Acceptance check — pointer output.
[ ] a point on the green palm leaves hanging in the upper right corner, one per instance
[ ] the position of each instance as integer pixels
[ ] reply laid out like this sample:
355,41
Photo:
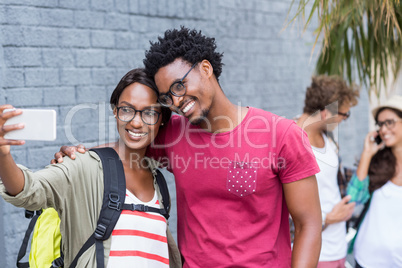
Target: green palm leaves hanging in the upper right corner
361,39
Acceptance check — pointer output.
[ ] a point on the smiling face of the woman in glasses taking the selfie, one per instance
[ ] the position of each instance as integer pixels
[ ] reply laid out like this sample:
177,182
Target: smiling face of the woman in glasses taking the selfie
136,134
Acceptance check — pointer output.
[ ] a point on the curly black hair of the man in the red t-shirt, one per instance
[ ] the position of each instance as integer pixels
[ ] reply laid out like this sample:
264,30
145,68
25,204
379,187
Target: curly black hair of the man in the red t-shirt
183,43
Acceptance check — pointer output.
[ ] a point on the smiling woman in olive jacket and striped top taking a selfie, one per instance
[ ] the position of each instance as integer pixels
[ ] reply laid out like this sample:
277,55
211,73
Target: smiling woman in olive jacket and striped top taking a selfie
75,188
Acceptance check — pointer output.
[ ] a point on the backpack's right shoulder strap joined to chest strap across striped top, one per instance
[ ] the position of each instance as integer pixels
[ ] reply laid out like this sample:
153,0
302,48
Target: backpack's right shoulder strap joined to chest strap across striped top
160,180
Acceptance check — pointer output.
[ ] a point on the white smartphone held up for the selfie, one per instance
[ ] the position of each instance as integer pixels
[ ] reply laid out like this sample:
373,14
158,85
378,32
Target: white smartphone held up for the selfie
39,124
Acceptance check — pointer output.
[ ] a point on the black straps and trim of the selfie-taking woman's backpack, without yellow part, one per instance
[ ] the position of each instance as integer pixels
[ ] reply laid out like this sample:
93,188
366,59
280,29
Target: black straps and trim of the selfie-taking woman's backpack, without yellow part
113,203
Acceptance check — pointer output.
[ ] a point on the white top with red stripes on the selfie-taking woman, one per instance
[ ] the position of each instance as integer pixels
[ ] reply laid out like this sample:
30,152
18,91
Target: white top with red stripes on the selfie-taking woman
139,238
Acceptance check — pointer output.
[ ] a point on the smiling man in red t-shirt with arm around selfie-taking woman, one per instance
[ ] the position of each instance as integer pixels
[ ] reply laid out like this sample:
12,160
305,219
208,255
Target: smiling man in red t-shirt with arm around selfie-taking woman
246,168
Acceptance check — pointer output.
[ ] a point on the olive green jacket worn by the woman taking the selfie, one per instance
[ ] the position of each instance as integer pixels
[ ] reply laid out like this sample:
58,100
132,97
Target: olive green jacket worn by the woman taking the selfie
75,189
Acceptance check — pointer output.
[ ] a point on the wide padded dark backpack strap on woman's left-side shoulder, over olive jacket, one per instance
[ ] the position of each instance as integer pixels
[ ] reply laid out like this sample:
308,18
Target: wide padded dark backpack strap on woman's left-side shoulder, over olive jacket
113,200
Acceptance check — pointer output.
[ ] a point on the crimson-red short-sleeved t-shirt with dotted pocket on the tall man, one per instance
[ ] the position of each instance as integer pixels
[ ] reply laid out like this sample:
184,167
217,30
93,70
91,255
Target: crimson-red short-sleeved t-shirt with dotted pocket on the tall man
230,203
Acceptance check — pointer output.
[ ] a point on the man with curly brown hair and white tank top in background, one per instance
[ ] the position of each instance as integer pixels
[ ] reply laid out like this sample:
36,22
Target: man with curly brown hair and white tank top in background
327,103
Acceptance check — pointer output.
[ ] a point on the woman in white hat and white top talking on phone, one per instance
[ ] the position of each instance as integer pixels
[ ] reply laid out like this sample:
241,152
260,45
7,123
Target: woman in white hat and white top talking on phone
378,184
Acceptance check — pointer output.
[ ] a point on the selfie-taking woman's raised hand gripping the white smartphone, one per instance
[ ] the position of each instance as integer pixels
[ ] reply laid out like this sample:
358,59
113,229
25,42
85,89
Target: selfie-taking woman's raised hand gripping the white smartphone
4,116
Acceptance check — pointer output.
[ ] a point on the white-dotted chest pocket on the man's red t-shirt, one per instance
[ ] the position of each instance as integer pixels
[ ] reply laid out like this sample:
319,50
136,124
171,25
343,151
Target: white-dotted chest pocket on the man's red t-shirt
242,178
